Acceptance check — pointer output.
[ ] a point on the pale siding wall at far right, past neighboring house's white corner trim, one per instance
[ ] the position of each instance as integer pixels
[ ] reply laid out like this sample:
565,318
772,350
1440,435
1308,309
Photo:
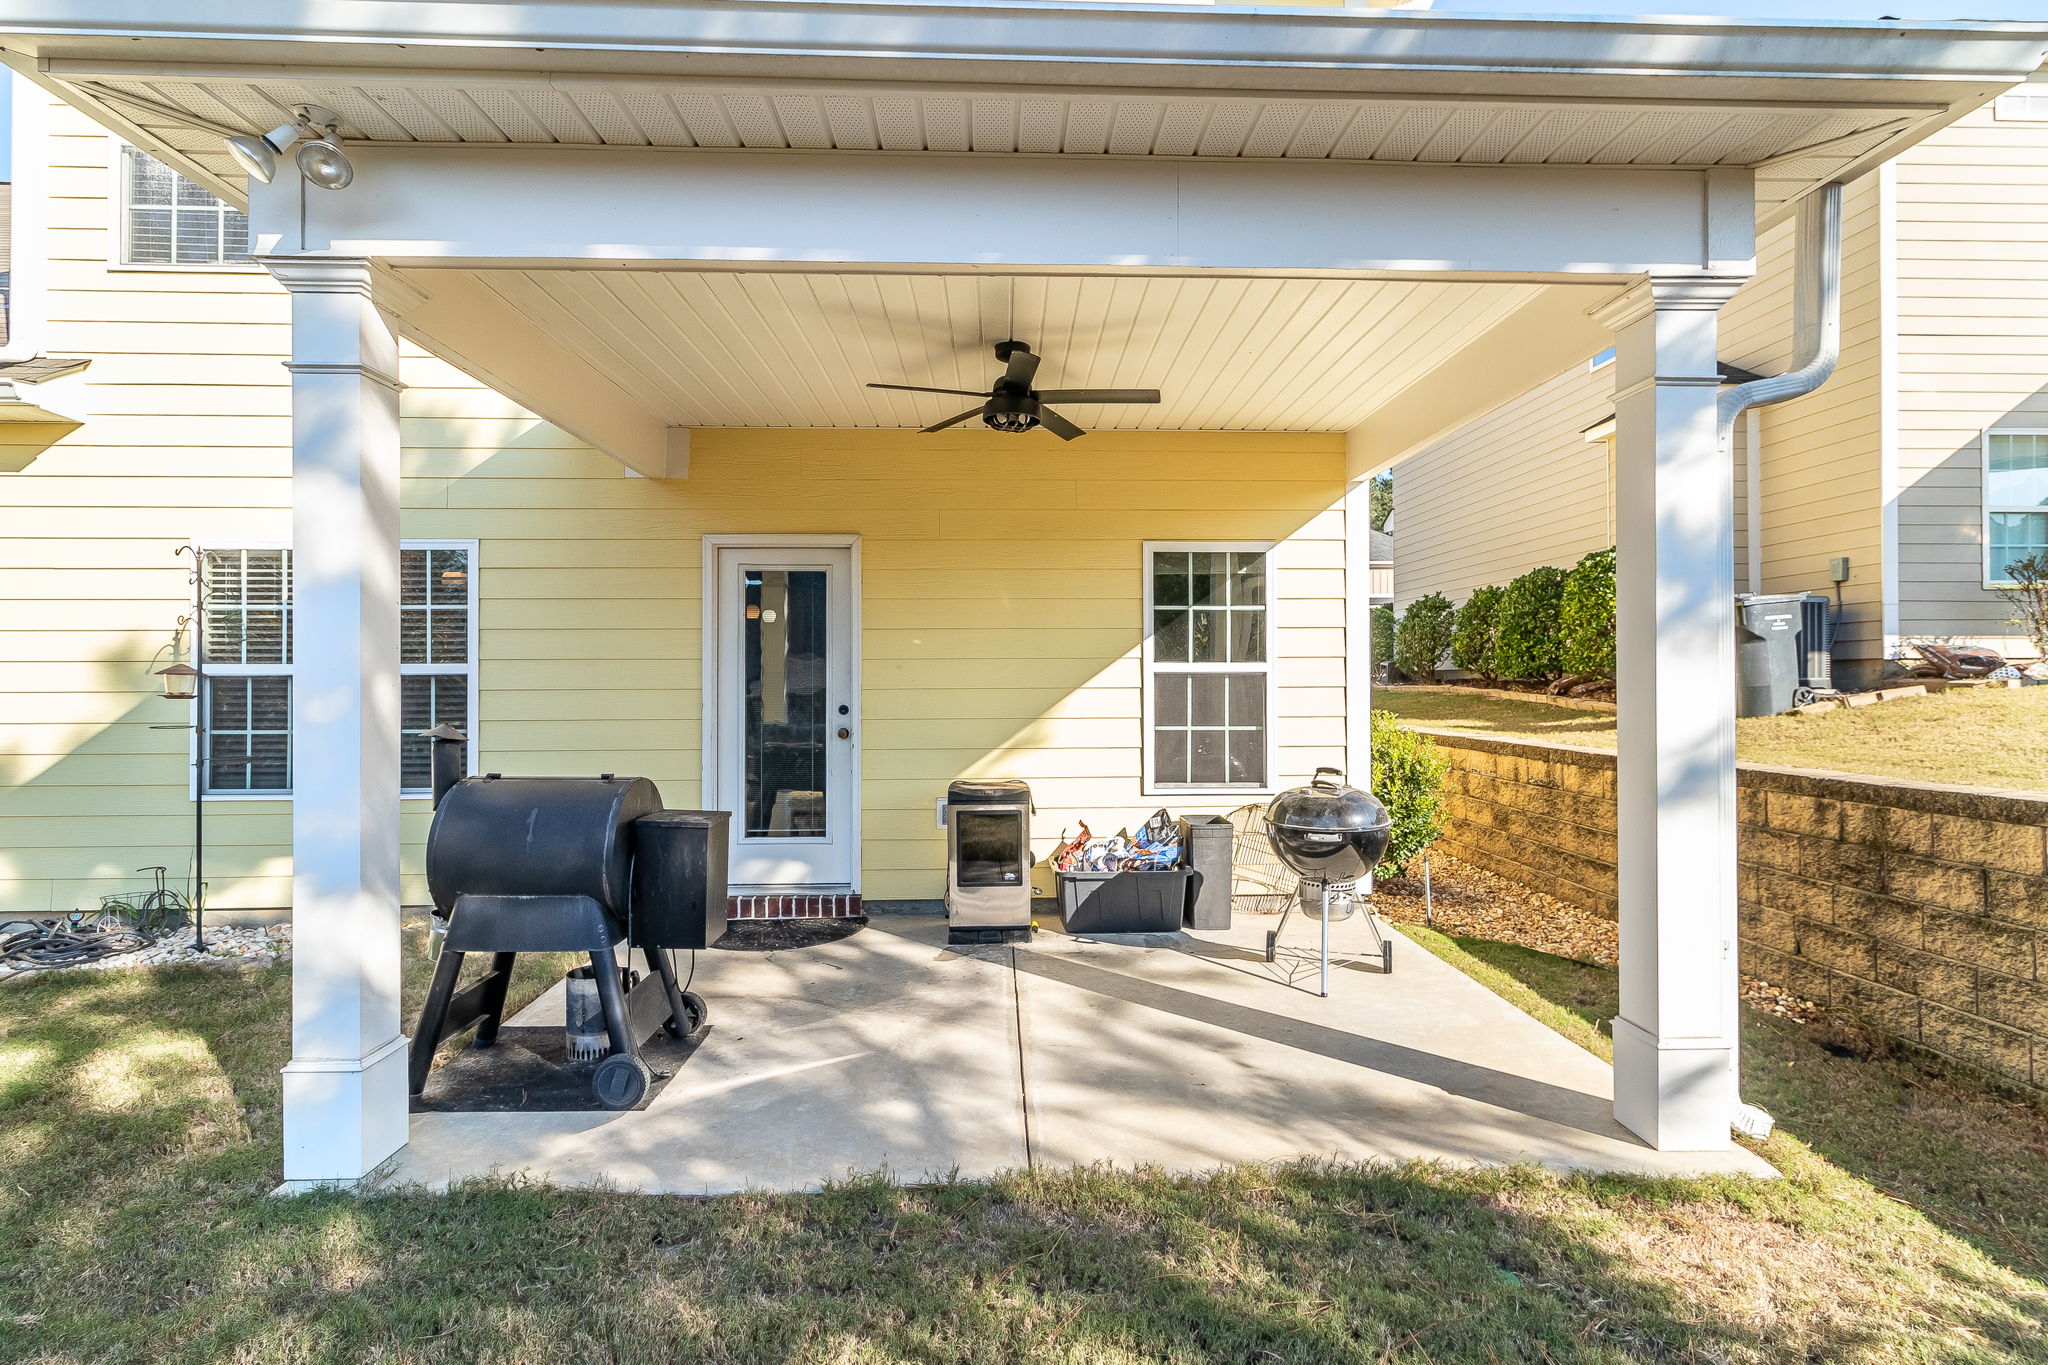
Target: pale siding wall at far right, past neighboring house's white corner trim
1973,353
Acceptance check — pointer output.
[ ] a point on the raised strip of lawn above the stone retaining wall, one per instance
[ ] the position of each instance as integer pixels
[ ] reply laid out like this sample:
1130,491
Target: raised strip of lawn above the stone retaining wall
1969,736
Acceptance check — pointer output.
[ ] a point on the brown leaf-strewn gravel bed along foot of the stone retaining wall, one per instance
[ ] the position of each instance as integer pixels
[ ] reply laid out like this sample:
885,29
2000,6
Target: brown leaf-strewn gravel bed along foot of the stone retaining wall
1484,906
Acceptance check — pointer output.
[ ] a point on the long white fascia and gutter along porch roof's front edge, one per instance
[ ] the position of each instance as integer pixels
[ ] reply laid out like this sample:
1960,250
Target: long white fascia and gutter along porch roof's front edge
1183,46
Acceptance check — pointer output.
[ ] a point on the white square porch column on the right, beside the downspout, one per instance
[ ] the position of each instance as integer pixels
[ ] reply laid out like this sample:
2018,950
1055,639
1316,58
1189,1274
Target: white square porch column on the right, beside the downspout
1676,762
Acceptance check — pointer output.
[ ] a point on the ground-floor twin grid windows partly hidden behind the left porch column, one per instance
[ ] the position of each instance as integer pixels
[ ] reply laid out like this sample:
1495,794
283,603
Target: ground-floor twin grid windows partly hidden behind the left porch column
249,664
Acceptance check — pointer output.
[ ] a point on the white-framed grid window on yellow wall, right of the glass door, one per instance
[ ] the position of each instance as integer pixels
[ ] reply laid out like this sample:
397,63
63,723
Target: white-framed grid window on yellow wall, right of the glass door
1209,680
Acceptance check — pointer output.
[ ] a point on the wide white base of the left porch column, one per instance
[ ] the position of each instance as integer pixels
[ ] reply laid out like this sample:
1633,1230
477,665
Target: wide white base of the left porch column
345,1118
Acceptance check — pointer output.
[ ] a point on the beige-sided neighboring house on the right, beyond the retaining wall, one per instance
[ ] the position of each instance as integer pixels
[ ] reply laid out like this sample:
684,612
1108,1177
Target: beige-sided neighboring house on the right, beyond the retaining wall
1924,461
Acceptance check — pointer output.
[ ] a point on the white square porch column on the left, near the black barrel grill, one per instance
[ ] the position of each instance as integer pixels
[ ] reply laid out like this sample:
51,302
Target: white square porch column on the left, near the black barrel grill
345,1086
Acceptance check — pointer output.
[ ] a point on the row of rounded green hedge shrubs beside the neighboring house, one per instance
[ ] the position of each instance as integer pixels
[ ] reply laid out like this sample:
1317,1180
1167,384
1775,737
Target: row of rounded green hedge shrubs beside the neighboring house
1547,625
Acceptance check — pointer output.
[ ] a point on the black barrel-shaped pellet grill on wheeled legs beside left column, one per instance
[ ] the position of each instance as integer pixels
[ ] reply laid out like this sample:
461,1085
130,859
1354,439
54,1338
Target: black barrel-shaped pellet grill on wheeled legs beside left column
568,865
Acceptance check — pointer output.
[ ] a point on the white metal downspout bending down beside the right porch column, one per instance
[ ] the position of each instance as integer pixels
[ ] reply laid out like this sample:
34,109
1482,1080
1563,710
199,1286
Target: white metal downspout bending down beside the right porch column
1816,349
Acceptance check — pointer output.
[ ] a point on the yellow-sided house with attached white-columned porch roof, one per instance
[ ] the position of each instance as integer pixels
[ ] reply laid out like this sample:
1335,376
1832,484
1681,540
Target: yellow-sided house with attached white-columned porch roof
558,427
